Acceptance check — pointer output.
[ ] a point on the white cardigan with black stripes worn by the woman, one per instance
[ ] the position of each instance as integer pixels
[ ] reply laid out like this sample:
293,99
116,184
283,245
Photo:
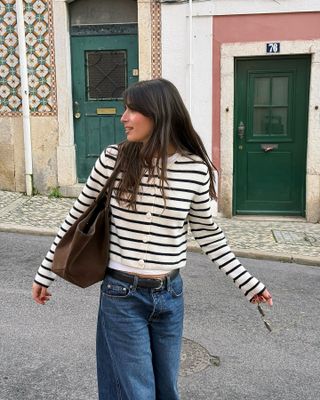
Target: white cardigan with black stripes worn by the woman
153,238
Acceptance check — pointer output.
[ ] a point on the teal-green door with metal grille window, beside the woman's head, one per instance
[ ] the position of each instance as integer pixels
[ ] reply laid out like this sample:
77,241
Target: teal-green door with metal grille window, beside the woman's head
102,68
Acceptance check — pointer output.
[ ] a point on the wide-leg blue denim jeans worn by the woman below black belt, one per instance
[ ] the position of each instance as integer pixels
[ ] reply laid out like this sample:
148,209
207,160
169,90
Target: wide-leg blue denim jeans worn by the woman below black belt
139,335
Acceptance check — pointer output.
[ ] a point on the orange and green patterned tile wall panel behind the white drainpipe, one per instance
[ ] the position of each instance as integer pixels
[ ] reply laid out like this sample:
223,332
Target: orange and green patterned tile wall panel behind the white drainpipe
40,58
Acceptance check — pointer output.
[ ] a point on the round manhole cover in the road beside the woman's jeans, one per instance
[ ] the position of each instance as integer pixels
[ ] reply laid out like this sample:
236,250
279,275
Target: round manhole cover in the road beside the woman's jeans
195,358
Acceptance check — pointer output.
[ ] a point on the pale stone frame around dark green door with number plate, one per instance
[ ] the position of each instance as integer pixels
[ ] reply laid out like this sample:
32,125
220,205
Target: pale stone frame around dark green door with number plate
229,52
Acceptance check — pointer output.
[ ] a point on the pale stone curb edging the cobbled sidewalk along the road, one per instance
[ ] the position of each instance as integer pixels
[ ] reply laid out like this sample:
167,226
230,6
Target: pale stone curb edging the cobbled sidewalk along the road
192,246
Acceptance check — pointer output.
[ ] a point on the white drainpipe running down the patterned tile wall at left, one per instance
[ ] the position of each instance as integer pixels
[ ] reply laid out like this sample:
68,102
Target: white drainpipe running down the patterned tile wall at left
25,97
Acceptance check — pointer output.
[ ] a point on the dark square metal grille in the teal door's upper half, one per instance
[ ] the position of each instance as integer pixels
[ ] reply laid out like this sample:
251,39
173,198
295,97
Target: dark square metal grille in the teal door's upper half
106,74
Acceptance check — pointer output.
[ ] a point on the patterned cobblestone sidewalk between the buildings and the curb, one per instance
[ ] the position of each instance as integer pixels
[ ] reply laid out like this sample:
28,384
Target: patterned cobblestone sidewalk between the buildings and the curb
289,240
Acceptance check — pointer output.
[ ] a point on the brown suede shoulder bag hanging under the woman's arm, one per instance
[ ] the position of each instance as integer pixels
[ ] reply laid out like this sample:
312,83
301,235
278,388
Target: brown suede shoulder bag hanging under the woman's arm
82,255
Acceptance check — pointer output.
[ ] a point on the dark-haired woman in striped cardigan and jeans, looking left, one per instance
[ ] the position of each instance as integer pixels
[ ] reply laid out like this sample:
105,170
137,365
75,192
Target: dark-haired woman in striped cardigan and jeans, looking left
166,182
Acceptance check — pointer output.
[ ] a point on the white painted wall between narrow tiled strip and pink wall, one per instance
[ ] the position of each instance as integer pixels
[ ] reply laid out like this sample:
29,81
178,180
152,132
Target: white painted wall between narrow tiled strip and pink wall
175,64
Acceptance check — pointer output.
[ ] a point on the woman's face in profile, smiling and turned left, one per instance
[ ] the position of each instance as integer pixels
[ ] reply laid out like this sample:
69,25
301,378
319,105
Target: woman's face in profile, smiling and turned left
137,126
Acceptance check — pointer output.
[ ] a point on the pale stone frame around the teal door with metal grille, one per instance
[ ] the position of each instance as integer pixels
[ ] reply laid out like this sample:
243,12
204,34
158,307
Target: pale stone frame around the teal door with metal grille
66,159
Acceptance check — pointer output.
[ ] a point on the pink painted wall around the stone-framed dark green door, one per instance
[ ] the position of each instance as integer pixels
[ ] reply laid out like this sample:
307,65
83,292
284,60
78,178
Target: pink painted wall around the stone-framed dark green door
252,28
